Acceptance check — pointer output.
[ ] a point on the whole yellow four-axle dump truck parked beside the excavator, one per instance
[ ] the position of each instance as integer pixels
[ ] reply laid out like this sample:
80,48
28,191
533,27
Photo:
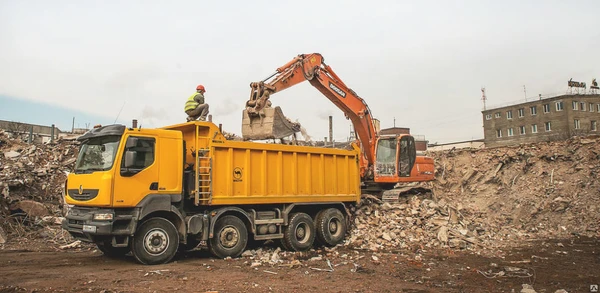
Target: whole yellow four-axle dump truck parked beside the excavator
152,192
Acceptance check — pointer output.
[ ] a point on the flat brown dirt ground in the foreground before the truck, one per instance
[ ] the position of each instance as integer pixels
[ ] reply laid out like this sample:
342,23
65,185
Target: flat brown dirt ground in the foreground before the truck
572,265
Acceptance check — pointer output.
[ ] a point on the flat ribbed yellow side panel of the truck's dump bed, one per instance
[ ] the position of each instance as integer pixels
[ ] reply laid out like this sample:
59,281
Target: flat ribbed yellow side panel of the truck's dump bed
254,173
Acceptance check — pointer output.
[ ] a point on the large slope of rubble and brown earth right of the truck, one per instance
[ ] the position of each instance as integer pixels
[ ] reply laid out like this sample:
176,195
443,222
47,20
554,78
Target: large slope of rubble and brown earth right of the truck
492,198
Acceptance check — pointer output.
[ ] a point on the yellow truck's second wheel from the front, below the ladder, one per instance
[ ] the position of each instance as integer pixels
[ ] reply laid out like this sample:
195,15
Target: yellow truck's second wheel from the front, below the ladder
230,237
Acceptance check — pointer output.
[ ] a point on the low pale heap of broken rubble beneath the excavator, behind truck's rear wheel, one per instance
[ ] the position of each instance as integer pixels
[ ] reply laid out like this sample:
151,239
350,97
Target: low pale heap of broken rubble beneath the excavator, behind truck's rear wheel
416,222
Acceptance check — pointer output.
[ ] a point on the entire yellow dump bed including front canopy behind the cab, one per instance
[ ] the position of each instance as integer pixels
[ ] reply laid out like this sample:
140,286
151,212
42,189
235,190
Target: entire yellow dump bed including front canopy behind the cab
230,172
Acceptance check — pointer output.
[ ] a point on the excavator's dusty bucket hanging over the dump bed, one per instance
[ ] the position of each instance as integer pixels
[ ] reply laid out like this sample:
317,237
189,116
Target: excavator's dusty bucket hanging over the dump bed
270,123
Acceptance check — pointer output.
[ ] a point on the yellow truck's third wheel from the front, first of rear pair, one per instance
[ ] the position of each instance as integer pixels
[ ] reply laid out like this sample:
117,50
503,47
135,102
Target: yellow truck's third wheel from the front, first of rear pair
299,234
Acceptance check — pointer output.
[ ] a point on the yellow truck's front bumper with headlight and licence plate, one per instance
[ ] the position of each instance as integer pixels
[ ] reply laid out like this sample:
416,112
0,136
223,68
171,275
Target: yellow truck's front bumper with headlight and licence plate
80,223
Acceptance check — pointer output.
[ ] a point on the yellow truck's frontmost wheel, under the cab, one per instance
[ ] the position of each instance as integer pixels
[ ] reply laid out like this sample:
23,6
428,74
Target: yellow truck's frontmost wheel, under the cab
155,242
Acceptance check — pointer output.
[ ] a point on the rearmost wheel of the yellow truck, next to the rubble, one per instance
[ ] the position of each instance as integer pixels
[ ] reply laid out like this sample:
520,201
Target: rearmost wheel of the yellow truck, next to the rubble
331,227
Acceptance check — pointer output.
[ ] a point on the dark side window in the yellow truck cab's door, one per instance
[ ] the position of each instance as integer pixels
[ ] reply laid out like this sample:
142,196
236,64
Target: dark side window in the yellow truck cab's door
143,154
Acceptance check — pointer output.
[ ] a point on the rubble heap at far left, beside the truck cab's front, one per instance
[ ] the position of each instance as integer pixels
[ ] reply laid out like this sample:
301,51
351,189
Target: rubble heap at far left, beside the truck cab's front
32,177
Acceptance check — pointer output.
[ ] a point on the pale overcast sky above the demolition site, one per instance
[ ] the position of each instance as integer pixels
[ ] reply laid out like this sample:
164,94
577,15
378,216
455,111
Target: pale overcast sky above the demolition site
418,64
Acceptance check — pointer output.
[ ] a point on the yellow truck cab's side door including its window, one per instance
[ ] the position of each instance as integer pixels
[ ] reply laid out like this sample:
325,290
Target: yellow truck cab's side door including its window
134,182
